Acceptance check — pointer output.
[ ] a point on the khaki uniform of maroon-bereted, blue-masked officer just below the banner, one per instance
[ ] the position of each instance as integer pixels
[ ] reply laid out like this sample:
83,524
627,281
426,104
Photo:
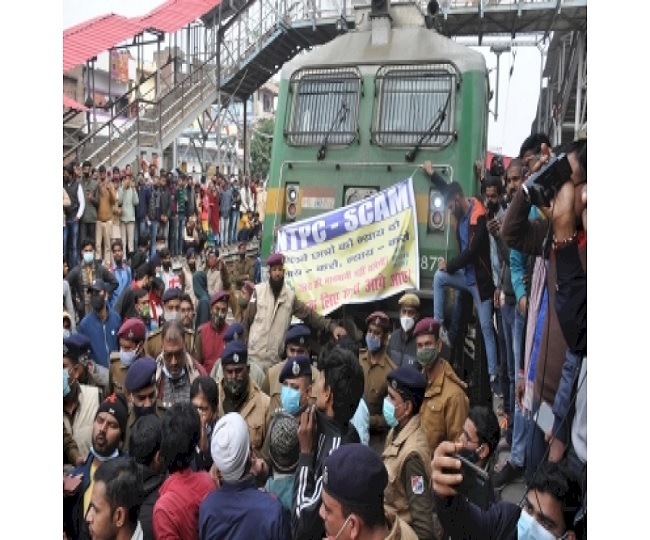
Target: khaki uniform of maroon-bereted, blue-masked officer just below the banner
375,389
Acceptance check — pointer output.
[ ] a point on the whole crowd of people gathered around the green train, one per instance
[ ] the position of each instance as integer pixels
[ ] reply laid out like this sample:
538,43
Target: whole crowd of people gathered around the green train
195,406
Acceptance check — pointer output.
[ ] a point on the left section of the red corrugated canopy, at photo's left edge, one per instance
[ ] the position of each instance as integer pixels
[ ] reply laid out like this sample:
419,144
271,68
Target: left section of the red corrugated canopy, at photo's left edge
86,40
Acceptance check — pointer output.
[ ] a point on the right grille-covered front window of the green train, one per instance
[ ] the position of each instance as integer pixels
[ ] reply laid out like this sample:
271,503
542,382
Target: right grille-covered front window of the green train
414,105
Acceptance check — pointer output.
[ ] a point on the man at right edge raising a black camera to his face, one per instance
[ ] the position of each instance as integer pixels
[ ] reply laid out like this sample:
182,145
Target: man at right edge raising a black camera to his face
536,238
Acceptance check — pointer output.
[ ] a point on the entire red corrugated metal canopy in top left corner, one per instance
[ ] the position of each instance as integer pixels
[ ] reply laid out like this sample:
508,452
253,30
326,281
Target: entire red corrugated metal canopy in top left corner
88,39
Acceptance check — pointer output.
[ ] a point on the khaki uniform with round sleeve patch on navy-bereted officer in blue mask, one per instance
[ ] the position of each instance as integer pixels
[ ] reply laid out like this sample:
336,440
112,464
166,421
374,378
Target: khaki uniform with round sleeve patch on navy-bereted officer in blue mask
408,494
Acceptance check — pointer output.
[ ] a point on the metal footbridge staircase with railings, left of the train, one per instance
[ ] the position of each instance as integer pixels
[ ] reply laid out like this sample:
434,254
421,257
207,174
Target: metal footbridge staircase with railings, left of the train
251,46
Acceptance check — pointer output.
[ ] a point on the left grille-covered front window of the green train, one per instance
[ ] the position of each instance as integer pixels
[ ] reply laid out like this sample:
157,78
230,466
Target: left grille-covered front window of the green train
324,108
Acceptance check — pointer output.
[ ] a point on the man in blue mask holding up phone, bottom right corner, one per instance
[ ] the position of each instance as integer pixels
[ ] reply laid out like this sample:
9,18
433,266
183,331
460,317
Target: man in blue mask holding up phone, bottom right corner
547,510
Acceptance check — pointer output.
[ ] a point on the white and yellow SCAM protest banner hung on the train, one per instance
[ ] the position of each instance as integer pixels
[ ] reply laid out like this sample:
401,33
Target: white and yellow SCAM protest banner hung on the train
365,251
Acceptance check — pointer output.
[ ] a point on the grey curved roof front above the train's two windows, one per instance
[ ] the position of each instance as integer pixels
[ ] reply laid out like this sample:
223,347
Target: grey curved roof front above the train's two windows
405,45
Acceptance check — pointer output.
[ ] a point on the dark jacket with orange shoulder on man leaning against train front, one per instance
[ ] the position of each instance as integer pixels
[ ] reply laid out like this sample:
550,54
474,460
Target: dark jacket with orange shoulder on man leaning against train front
477,252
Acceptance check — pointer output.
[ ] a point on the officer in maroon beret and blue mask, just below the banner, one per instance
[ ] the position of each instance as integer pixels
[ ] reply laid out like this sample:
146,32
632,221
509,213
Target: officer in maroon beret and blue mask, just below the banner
376,365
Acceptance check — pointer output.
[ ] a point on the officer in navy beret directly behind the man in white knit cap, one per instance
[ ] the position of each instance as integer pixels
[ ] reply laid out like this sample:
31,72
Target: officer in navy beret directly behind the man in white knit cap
239,393
